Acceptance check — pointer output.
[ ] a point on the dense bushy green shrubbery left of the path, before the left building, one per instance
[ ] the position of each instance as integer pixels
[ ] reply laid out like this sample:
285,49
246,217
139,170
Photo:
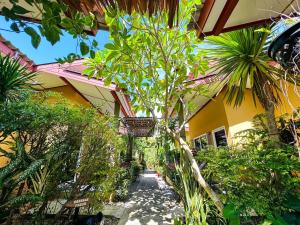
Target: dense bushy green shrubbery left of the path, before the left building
71,152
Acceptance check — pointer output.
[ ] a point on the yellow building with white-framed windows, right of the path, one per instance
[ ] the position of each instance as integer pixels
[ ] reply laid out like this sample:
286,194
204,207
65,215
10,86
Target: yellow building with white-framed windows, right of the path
216,123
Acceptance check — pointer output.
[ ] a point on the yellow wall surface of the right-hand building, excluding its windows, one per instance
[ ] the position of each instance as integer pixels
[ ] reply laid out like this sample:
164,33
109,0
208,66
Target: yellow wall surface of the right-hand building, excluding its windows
217,113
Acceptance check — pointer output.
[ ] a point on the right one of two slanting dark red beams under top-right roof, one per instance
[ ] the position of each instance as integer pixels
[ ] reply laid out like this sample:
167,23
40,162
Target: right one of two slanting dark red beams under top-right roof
224,16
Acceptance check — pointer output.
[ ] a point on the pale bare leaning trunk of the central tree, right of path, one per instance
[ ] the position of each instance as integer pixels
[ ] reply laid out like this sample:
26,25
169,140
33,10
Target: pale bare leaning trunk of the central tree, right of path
196,171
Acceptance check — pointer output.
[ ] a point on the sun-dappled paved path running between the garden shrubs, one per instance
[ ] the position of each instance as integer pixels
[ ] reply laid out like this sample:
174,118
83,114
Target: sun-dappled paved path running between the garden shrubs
152,202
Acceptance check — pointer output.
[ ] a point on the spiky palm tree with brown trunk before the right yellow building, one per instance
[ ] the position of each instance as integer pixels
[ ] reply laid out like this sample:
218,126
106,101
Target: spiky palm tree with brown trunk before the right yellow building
243,64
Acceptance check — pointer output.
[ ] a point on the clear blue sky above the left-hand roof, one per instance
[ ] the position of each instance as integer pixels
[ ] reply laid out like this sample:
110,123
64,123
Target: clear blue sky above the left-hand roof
46,52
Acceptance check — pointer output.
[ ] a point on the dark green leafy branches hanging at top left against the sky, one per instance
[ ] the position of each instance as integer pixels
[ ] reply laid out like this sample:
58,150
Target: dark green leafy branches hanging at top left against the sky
53,19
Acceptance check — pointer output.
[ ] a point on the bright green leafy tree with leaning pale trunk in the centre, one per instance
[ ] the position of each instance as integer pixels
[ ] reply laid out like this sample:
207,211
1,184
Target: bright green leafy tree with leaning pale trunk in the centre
152,62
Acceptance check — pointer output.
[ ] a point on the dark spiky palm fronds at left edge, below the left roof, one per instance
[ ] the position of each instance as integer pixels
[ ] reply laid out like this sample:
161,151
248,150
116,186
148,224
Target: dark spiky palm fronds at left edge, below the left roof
14,79
